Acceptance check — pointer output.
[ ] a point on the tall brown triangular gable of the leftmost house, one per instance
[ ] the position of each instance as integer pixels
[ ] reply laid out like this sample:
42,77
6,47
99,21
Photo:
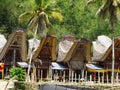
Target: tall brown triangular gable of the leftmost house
16,40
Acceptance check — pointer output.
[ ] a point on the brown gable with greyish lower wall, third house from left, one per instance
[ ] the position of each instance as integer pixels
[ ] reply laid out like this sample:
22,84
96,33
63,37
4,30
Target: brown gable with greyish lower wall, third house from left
79,54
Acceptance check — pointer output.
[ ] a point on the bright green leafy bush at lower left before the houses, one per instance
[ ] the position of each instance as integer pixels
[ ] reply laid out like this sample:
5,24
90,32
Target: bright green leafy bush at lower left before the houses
17,73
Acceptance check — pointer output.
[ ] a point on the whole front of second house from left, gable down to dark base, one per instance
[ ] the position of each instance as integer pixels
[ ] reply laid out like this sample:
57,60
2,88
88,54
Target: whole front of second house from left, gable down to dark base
45,54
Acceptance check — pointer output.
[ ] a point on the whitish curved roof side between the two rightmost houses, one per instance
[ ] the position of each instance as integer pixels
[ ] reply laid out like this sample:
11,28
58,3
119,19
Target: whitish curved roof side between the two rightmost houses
100,46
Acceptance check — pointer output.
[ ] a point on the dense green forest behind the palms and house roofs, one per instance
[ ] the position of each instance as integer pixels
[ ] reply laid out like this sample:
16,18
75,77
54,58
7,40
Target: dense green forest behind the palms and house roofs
77,19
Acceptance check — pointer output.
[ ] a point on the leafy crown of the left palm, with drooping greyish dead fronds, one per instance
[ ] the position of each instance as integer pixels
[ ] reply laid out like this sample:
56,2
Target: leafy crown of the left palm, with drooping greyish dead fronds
38,15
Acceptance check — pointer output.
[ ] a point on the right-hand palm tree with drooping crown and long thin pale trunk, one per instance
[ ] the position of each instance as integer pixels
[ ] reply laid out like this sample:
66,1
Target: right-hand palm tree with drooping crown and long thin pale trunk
109,9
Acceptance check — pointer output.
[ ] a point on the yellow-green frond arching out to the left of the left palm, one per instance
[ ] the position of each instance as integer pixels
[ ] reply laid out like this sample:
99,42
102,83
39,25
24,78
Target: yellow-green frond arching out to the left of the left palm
25,16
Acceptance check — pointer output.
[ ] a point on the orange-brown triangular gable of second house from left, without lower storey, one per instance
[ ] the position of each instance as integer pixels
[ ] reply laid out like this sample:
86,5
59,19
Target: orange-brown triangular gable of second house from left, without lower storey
46,49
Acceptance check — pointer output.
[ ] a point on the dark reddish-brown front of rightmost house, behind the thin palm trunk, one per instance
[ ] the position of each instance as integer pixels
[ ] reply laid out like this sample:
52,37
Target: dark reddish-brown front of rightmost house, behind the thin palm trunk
106,60
